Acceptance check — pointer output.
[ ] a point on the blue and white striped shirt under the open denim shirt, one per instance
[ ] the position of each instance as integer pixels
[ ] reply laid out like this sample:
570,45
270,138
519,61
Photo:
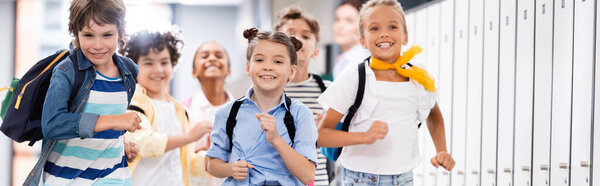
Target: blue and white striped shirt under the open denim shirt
97,160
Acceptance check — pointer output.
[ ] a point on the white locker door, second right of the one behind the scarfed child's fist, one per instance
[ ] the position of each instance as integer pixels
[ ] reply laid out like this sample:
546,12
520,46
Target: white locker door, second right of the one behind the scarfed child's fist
474,93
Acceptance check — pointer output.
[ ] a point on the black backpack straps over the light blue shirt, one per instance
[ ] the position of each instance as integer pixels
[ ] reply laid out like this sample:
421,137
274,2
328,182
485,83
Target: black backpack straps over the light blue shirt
231,121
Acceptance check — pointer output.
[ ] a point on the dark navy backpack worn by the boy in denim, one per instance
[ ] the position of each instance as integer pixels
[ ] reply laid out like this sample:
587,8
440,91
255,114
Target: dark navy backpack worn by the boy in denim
22,120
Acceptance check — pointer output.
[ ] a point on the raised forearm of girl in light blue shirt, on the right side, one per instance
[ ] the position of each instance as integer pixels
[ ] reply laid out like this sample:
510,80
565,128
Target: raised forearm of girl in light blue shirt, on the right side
301,167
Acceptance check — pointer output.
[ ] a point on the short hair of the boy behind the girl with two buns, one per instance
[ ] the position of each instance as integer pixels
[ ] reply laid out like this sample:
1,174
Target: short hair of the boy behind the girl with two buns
295,12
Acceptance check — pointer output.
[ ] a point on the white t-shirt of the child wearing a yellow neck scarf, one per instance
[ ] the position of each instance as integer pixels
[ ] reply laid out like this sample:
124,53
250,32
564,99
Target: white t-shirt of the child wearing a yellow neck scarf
402,105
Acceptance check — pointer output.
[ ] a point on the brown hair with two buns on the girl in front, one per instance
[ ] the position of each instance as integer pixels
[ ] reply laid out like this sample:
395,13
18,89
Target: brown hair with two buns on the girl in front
292,44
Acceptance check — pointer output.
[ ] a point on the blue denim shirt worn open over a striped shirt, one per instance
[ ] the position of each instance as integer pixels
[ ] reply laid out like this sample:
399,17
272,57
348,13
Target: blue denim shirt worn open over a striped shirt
60,122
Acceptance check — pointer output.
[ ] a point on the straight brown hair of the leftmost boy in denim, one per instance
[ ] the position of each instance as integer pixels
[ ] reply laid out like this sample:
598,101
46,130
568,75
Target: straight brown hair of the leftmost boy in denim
100,12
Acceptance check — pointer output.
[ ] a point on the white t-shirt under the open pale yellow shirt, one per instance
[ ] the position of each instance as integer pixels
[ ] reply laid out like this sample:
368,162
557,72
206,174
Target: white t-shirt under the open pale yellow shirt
165,169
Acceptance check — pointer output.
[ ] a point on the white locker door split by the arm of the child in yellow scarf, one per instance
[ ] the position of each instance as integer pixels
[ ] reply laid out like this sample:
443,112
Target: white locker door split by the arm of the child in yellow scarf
433,62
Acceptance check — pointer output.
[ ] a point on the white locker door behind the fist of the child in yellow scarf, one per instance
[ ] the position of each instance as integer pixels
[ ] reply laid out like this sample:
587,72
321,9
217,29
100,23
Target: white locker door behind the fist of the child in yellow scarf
445,78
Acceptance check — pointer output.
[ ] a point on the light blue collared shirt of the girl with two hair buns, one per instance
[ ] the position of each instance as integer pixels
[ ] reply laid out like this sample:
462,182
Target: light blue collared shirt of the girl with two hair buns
250,143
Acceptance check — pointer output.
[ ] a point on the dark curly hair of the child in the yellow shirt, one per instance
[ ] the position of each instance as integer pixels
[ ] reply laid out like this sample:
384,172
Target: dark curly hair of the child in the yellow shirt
140,43
